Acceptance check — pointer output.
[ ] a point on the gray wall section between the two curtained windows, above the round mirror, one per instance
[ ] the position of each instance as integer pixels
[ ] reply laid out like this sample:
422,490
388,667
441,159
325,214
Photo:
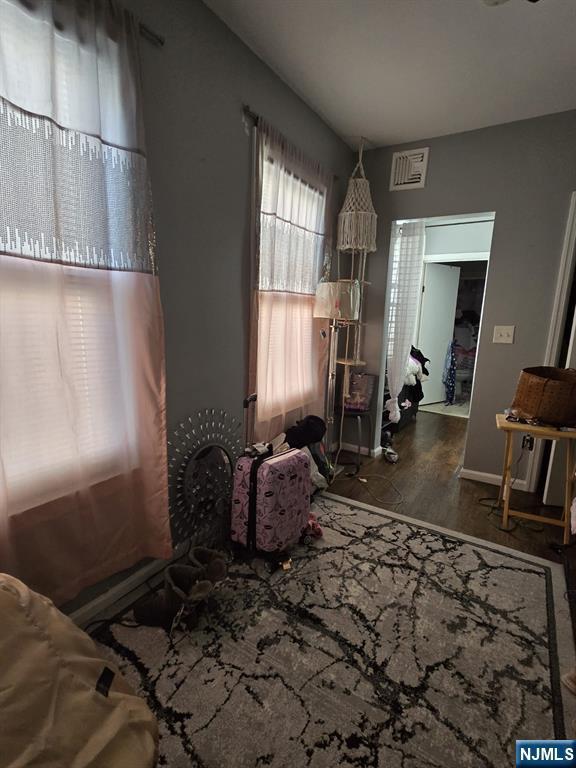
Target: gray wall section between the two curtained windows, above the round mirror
199,159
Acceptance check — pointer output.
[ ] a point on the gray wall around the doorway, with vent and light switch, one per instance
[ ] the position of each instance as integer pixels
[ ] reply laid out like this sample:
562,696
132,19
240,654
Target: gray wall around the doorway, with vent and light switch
525,172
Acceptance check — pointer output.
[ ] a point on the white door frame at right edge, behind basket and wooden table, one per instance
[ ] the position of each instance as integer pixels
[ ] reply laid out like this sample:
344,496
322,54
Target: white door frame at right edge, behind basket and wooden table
557,323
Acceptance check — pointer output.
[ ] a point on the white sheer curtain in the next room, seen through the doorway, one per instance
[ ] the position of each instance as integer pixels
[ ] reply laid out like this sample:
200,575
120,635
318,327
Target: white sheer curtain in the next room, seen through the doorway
405,280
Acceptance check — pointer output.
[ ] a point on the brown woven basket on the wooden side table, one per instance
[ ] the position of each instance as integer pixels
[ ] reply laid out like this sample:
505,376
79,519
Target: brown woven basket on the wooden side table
546,395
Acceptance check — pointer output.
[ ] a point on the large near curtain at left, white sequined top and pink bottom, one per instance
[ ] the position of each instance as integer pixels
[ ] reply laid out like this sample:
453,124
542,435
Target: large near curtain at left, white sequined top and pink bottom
83,470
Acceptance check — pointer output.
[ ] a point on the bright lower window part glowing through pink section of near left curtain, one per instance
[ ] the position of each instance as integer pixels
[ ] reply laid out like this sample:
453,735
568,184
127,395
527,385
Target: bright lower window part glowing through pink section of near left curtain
63,350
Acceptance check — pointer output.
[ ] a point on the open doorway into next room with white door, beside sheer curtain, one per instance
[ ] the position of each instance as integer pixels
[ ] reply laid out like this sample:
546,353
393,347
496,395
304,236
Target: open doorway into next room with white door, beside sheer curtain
443,360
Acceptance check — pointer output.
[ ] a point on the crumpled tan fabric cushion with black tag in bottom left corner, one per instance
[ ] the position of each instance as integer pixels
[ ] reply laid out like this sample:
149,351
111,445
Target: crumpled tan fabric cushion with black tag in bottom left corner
51,713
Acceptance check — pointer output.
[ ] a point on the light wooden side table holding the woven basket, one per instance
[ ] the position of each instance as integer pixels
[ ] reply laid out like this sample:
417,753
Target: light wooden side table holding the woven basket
539,433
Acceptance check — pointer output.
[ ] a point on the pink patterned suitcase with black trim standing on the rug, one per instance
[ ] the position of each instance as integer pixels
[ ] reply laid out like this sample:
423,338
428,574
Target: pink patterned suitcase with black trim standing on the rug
271,501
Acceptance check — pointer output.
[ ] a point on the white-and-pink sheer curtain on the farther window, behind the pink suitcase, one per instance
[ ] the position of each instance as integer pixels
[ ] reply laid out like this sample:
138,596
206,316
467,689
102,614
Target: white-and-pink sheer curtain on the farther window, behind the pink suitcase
291,352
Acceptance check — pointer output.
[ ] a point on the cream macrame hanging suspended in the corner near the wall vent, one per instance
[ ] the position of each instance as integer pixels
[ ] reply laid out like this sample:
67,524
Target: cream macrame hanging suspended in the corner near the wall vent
357,219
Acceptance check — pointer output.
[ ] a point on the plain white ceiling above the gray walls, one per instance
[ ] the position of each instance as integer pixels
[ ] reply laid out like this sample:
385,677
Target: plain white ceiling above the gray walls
400,70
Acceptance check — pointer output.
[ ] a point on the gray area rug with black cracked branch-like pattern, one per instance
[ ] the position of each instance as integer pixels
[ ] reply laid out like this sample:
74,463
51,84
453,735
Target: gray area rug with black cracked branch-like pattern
387,644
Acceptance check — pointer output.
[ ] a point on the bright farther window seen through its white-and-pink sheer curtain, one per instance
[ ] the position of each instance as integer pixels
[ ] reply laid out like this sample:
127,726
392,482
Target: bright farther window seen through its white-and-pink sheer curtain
291,257
